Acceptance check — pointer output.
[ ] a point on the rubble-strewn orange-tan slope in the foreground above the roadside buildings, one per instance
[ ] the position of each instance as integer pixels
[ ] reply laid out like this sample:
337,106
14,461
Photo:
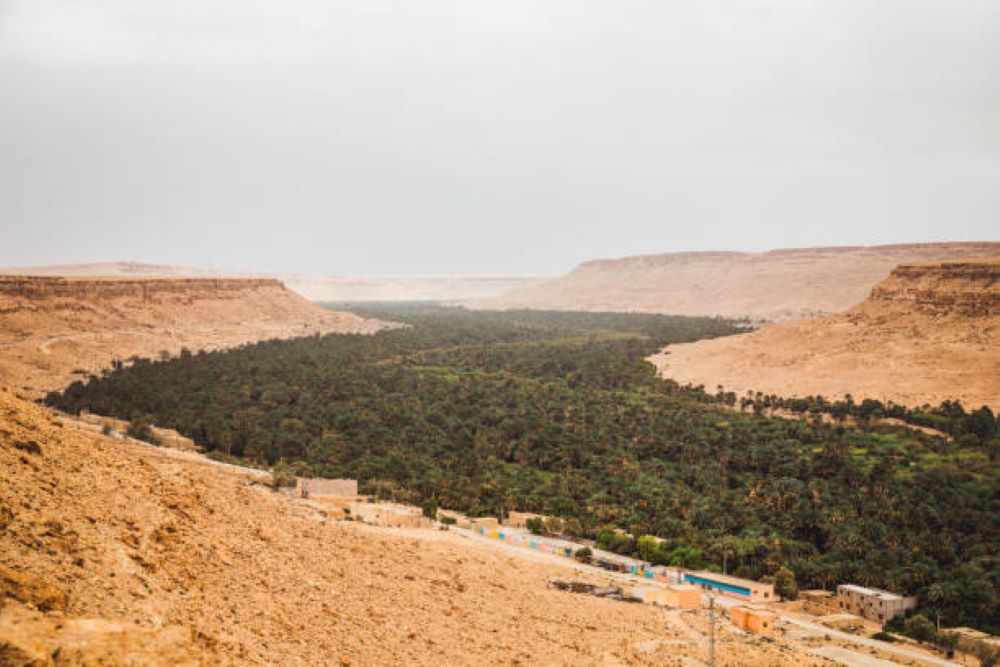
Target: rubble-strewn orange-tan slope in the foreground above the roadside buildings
111,548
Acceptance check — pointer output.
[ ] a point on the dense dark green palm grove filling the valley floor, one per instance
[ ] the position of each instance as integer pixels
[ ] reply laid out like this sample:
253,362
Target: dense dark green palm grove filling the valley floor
557,413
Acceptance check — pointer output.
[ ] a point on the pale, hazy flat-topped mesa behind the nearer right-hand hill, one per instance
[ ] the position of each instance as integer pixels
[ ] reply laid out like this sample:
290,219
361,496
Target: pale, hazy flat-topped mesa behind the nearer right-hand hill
775,285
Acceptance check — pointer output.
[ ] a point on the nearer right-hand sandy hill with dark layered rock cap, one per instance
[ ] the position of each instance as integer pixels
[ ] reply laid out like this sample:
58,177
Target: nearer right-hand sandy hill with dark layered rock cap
927,333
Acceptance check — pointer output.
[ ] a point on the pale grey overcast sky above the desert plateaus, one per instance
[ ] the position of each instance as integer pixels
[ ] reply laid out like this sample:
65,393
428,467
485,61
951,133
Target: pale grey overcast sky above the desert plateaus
374,137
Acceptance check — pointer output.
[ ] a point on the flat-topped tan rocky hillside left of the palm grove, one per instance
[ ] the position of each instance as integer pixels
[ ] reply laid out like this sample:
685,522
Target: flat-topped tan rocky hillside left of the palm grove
53,326
